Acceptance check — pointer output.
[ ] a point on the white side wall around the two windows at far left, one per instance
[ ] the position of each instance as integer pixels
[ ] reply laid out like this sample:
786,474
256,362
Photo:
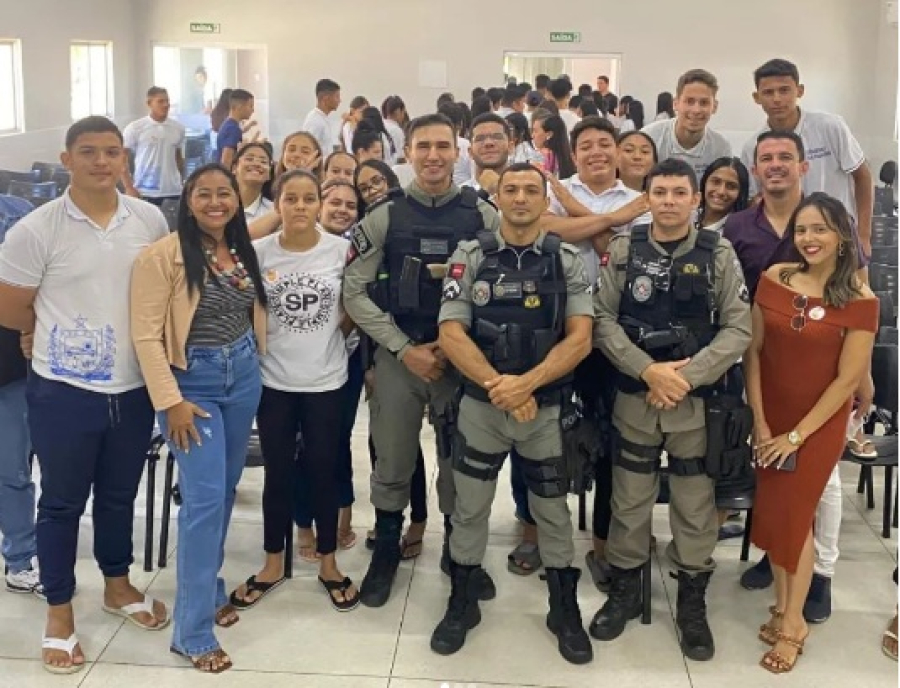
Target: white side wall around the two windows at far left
46,28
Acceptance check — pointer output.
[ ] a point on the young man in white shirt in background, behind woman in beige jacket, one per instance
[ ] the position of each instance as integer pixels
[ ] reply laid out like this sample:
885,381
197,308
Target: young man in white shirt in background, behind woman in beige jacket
156,142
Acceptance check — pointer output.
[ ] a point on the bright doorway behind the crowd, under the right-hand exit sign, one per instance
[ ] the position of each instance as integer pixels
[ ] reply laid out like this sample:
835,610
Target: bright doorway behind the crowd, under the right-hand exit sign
581,68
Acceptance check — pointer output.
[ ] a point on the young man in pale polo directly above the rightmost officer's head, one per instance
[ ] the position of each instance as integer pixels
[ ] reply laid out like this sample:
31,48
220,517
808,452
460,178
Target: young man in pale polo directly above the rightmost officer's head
688,137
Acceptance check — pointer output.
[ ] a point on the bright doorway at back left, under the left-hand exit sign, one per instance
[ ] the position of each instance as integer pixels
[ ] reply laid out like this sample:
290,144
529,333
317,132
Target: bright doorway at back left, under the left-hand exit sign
195,77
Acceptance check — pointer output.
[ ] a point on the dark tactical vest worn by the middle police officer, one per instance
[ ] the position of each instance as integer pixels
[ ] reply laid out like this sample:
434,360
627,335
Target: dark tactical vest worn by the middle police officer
518,309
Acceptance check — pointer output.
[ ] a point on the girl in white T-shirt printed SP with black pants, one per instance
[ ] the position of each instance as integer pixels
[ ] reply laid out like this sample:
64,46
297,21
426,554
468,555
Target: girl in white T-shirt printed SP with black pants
304,370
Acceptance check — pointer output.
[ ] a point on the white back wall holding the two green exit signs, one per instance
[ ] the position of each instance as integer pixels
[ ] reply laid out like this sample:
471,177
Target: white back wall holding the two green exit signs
844,49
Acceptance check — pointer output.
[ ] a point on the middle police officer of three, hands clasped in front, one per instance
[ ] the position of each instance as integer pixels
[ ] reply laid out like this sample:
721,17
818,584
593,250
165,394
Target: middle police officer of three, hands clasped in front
516,319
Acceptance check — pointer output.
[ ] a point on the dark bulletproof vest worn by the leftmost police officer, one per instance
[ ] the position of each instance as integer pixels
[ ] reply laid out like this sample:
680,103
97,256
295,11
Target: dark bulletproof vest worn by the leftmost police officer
419,236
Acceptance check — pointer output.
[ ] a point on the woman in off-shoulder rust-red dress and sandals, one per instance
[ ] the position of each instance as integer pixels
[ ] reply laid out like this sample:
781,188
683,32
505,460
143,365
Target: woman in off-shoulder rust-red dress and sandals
814,326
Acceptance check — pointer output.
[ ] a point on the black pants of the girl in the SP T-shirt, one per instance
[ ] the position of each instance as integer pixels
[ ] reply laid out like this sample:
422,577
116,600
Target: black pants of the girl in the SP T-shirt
317,416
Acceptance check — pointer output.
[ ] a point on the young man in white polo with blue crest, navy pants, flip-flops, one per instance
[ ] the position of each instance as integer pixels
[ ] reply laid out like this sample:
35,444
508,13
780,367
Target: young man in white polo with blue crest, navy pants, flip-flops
64,276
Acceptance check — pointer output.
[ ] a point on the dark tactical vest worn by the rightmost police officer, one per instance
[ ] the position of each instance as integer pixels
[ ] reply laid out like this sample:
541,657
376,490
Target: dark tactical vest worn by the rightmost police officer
668,306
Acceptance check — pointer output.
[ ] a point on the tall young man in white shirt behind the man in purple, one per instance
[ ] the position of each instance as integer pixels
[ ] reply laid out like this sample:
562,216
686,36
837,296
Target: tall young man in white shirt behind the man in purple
837,164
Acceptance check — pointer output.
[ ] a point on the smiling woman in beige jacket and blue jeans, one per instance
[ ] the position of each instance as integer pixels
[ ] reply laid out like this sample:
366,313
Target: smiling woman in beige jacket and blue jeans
198,321
